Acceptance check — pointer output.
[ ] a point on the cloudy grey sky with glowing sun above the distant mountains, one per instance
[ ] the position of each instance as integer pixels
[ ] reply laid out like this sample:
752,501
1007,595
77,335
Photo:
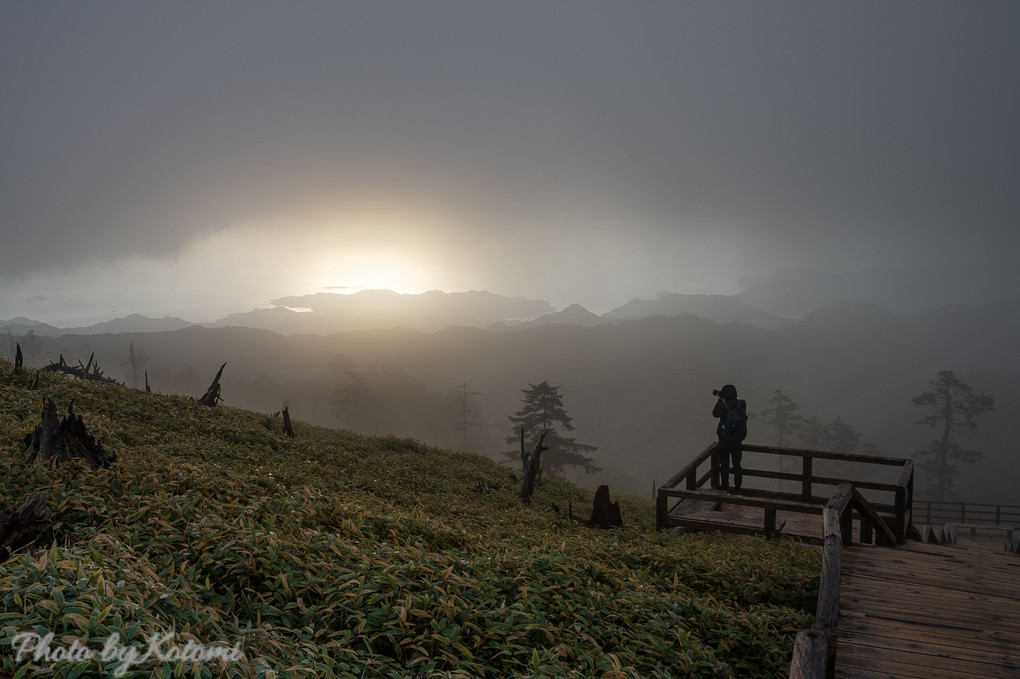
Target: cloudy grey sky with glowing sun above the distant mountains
198,159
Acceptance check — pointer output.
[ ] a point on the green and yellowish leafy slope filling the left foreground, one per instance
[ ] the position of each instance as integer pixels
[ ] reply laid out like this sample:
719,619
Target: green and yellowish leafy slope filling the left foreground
336,554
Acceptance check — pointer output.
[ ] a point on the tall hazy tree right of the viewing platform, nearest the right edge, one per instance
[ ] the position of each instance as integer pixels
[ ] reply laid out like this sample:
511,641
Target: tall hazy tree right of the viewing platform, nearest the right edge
952,405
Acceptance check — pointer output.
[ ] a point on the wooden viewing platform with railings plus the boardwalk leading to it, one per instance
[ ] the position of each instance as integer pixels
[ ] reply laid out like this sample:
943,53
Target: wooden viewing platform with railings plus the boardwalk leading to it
917,611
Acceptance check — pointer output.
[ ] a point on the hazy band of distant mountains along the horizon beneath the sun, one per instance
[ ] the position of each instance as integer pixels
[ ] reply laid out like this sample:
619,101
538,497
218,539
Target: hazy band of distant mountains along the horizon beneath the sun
828,302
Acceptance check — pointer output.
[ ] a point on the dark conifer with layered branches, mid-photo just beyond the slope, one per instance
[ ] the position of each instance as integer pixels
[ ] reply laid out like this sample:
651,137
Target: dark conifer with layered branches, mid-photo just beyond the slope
543,411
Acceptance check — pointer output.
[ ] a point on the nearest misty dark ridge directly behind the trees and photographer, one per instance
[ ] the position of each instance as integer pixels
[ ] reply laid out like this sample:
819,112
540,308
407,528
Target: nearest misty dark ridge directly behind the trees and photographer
638,389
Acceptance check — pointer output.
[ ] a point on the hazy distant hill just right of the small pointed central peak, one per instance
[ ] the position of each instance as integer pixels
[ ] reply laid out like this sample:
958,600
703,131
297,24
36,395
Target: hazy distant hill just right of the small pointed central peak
720,308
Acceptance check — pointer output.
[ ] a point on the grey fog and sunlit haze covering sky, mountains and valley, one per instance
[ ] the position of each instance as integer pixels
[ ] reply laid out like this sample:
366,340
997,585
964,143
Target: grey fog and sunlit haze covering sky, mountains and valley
705,180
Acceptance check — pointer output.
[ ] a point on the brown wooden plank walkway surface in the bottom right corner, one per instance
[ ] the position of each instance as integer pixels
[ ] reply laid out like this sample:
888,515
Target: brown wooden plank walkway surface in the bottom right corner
930,612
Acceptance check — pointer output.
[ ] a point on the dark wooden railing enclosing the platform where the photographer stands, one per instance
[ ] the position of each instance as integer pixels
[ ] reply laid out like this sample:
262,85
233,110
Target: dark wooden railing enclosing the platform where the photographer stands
703,474
